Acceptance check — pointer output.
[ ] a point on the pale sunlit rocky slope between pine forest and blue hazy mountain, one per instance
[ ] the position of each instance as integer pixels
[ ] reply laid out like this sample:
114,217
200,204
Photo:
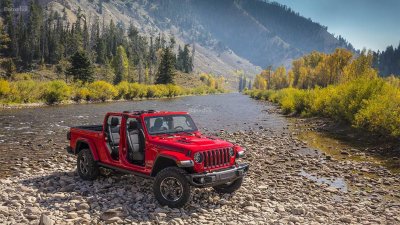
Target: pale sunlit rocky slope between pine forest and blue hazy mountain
207,59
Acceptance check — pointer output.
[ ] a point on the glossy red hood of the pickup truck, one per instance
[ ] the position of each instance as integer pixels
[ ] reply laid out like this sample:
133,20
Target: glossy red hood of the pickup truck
192,143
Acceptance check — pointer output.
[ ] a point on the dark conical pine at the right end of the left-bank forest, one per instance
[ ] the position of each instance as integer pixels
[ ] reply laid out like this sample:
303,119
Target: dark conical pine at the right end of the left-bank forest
166,71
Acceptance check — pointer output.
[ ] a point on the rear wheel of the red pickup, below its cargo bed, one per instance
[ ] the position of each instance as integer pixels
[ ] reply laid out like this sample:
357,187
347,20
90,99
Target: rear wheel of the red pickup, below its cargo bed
87,167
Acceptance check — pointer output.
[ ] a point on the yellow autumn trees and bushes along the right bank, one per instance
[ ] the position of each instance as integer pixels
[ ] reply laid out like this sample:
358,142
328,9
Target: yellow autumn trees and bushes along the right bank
338,85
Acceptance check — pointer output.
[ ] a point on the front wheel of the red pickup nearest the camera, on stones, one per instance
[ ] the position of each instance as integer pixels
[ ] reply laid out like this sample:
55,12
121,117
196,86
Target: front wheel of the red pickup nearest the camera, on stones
171,187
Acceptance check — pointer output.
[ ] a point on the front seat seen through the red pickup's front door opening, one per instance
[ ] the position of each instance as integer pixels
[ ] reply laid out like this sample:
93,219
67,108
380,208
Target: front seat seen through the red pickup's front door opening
136,152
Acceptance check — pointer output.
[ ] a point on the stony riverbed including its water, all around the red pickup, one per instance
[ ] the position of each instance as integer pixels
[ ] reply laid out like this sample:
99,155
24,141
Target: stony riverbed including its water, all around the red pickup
299,174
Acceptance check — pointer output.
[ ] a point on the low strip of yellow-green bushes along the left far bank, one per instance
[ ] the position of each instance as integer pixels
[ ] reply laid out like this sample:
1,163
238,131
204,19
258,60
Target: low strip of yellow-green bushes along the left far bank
58,91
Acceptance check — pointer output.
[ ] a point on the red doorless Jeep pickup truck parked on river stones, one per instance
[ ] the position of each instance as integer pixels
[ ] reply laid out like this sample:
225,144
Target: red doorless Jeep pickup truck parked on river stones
164,146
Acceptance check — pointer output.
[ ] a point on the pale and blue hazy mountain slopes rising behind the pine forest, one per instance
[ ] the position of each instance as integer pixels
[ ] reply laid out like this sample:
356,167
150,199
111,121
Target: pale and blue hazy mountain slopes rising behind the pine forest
228,35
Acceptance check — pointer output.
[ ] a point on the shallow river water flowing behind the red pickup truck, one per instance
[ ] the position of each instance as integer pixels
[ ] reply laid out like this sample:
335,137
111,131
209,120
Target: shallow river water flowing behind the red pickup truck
34,134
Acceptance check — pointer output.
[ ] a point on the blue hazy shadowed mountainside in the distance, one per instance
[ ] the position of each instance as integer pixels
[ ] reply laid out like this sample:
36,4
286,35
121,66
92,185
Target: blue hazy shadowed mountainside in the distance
262,32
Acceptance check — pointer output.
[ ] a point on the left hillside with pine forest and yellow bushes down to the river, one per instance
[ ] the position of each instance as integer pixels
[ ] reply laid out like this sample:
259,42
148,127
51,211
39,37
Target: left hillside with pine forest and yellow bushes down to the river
47,56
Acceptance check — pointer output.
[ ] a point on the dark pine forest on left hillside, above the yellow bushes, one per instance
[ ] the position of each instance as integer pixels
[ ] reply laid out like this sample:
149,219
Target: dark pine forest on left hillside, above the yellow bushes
41,37
